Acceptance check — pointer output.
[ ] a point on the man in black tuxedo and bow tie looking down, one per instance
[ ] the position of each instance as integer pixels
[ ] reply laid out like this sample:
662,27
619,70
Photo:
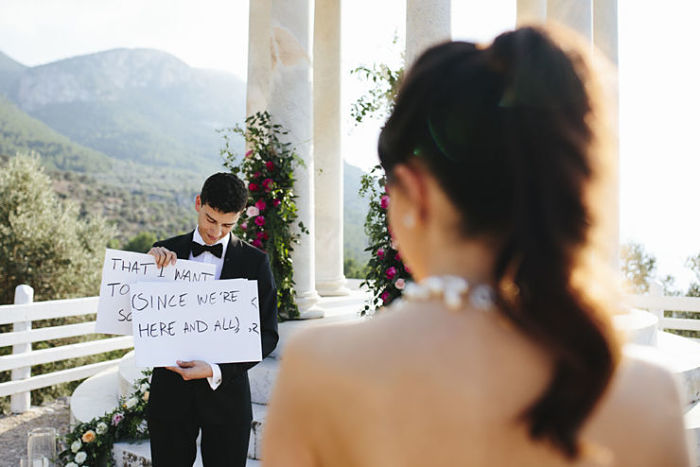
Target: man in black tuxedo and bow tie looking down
202,395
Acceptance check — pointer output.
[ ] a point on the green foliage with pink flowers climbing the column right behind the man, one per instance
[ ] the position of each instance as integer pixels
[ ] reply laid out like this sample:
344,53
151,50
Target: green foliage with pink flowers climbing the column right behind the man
268,166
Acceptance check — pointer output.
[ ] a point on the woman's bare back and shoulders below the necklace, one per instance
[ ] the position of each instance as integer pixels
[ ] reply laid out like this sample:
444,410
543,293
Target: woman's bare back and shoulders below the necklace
423,385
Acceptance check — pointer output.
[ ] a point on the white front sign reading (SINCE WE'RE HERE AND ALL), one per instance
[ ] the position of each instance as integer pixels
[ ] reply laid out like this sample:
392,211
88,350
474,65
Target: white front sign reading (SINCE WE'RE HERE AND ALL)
216,321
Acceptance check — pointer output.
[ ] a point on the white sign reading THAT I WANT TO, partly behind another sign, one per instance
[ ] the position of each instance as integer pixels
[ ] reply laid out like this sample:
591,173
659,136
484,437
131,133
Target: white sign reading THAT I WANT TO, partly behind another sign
121,269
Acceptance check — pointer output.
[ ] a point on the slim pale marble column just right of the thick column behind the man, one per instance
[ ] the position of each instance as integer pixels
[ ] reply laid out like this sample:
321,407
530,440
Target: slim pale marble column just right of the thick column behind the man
328,177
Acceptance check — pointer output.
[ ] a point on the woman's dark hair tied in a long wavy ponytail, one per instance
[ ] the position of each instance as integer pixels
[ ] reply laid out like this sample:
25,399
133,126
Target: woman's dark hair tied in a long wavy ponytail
508,132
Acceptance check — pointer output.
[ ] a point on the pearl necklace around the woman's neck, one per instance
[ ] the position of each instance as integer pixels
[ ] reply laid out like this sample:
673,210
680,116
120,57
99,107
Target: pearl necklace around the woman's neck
452,290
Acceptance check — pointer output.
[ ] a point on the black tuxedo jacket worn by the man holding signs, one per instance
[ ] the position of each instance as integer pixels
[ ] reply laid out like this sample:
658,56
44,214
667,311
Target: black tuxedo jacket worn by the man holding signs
173,398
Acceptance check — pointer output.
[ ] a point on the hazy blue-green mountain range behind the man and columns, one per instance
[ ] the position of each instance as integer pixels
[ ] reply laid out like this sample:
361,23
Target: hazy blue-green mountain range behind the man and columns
137,121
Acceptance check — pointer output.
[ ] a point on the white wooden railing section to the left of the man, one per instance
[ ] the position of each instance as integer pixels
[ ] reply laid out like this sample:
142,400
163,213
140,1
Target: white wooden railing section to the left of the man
21,315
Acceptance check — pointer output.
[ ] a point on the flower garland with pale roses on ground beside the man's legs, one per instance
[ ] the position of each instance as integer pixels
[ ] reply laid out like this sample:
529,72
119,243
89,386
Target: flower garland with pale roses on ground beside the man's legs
90,443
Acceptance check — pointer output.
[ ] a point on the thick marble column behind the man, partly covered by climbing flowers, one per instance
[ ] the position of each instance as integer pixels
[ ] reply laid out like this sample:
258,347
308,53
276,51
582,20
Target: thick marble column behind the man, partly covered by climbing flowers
280,81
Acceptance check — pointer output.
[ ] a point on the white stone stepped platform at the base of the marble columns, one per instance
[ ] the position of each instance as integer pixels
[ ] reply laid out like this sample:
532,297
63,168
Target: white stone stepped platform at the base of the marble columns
101,392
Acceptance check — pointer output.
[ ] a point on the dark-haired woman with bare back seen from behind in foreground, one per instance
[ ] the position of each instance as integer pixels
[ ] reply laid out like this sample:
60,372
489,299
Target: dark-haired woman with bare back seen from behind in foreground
502,353
